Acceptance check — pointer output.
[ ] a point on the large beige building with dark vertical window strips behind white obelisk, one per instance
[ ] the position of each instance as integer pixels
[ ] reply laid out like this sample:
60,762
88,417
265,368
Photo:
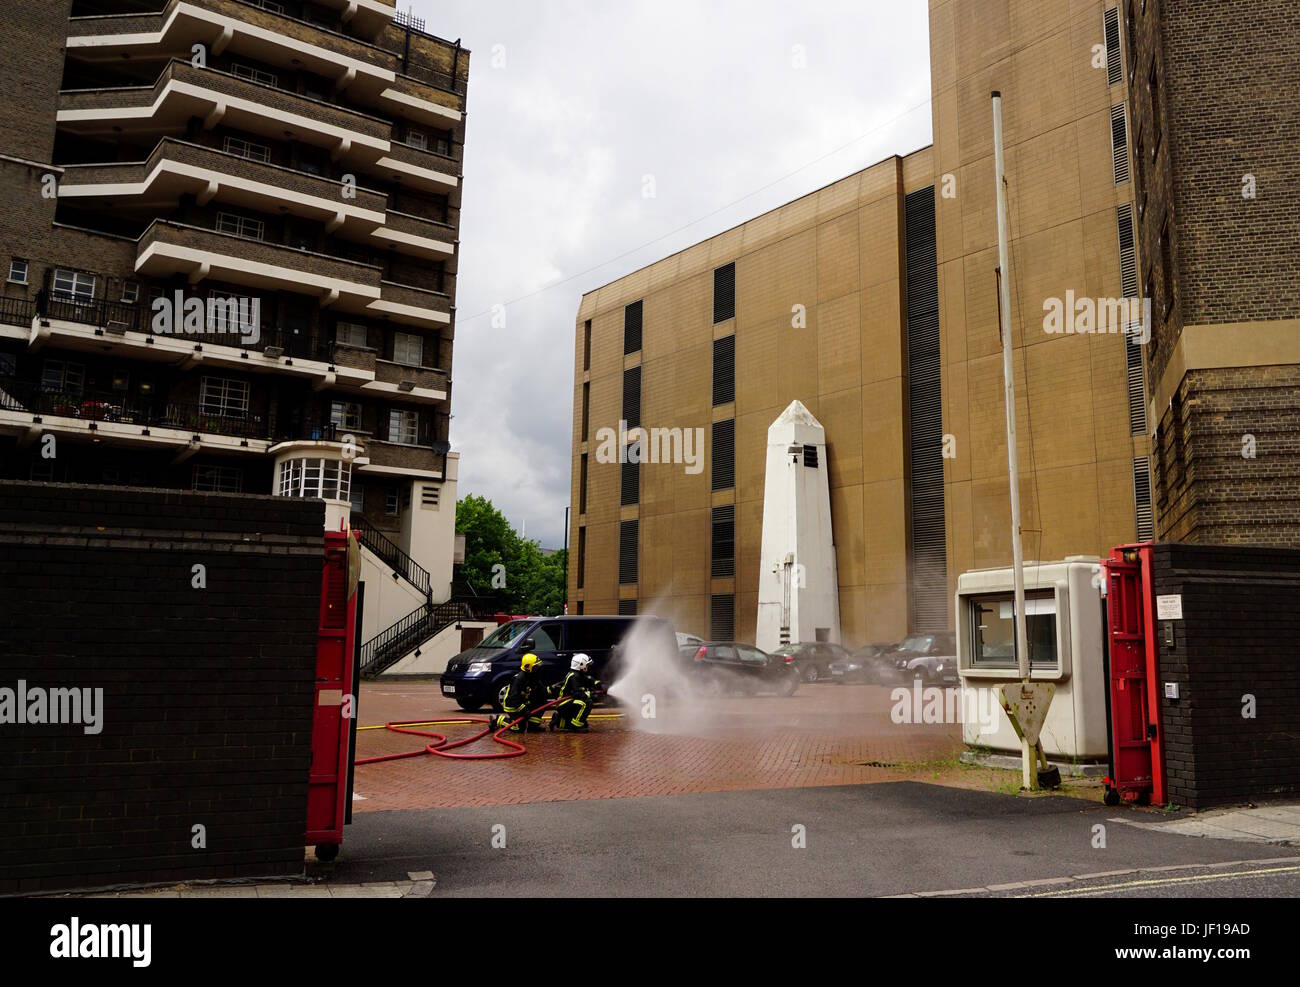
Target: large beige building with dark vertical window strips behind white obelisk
874,302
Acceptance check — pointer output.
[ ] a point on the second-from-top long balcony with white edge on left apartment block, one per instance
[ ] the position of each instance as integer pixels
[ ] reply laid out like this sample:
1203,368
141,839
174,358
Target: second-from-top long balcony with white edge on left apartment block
184,92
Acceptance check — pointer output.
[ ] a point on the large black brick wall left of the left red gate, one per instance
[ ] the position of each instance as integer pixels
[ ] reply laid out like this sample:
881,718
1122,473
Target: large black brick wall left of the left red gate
209,694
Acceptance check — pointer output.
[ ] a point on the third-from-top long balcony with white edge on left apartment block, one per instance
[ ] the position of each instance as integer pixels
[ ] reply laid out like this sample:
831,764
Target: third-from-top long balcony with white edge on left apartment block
177,168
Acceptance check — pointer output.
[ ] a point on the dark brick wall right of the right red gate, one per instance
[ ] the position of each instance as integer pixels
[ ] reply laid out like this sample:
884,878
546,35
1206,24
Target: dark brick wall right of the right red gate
1240,637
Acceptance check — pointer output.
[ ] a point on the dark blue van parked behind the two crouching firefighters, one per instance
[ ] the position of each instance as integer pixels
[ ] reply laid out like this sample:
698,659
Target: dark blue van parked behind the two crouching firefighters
483,674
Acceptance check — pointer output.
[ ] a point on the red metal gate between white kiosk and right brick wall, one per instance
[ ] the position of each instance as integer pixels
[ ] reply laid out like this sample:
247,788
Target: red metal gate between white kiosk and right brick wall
1137,755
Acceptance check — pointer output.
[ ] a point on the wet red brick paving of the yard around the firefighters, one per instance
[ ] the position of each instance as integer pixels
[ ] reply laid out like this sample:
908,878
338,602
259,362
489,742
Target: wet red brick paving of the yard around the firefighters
825,735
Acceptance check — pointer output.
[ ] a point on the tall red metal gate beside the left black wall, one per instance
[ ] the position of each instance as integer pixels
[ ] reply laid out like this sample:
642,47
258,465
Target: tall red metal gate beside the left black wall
336,703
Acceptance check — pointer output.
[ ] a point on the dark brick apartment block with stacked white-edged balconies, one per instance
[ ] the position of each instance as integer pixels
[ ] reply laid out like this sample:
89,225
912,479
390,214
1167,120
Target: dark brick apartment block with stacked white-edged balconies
231,252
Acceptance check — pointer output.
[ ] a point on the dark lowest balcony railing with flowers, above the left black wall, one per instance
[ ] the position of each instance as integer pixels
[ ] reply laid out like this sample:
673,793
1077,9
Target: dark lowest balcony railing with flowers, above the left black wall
128,410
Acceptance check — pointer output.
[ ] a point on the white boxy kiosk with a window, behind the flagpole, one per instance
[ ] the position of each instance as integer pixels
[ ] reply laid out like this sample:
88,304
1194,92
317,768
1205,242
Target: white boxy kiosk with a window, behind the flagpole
1067,626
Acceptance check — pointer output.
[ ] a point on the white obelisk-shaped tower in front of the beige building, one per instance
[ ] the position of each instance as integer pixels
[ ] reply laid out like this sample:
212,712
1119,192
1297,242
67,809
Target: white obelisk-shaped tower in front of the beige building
799,598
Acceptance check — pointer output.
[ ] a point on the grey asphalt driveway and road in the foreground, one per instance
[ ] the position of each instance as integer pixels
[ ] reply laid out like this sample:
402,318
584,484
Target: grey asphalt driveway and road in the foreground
879,839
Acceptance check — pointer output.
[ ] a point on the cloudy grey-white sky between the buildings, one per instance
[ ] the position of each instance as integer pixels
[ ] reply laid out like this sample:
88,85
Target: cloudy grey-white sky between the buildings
733,106
